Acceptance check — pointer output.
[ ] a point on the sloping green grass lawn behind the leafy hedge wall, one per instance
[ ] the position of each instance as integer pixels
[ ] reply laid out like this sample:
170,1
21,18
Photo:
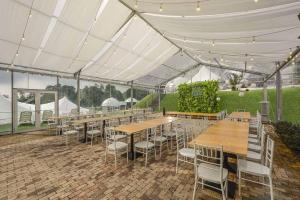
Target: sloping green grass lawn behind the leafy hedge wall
231,101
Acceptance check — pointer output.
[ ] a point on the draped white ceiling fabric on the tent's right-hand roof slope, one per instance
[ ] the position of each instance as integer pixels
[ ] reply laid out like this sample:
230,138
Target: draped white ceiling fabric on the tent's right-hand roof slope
228,30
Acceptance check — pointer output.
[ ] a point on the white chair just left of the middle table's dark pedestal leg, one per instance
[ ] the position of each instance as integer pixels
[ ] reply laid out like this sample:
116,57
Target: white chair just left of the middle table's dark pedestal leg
114,147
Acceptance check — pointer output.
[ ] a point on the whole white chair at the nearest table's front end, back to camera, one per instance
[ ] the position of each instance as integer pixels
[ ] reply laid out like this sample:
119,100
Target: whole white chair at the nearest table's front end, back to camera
209,168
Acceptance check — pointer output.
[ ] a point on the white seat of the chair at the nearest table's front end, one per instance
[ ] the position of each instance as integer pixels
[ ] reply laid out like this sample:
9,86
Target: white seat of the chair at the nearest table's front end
211,172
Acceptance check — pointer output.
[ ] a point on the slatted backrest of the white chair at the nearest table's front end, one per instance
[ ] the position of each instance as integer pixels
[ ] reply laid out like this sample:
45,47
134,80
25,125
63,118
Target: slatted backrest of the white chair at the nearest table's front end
211,155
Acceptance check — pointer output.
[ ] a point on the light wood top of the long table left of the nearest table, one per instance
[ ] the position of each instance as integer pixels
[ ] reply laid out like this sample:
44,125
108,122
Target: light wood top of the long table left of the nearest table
137,127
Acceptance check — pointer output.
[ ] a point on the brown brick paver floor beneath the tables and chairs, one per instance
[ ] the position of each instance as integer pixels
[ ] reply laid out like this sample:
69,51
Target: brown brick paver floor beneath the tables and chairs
42,167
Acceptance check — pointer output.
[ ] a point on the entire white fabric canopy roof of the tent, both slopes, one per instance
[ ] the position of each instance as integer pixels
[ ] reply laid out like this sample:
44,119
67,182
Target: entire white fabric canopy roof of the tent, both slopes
107,40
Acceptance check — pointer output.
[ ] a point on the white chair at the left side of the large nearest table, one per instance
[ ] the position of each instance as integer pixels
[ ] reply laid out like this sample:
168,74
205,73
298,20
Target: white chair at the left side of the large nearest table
184,153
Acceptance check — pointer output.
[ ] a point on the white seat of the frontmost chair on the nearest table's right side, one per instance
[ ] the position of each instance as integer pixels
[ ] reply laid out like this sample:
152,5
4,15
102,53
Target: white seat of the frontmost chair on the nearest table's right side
252,167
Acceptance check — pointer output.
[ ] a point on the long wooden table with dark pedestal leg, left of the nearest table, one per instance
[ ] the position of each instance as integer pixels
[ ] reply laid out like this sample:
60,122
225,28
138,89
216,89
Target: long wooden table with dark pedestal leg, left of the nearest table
133,128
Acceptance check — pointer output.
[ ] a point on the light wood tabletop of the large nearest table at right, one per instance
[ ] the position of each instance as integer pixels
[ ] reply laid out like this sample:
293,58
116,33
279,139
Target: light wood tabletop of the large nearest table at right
232,135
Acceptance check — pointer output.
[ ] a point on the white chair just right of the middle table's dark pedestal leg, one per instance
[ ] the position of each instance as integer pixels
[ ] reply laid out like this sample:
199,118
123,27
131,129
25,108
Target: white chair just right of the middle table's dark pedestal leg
146,147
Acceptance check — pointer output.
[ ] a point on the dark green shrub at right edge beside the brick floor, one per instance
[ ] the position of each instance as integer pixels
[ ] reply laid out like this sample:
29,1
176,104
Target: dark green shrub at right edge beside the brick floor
289,133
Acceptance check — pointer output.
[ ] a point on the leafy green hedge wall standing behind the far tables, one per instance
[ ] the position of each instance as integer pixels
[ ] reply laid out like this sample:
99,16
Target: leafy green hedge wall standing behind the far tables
198,97
